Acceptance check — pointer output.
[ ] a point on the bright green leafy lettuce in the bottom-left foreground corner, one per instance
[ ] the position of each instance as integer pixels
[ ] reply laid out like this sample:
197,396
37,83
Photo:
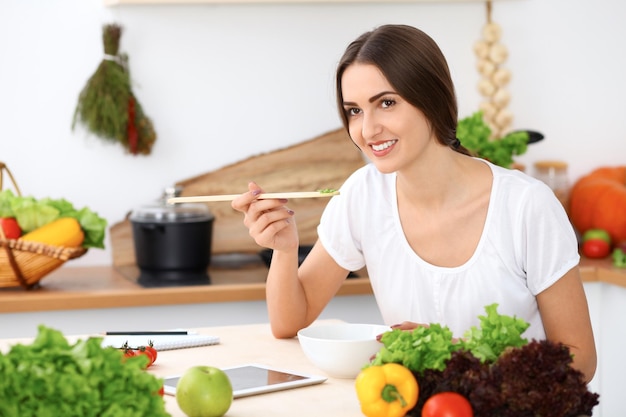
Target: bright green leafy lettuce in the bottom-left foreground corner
51,377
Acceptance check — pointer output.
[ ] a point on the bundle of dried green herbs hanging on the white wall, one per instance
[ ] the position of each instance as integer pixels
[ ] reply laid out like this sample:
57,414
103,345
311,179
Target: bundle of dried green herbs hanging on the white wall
107,106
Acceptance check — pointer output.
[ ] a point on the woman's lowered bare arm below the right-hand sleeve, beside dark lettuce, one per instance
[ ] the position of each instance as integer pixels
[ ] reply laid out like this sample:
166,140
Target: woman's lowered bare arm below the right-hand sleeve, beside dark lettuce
565,315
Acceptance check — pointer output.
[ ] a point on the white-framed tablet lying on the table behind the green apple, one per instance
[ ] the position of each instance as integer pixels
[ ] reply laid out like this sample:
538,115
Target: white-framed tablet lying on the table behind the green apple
252,379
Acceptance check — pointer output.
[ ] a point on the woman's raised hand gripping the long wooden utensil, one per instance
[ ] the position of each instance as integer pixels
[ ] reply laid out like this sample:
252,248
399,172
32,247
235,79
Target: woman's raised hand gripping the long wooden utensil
270,223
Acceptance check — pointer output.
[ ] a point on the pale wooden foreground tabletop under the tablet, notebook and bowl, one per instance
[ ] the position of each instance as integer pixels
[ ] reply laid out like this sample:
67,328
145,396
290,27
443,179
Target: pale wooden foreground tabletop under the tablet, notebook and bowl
255,344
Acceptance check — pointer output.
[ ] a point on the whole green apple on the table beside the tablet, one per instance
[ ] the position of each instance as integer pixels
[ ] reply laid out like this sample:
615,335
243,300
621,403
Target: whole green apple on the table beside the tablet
204,391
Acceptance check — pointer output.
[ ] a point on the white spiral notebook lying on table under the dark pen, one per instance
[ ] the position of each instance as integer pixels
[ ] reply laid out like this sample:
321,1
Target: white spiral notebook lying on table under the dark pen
161,342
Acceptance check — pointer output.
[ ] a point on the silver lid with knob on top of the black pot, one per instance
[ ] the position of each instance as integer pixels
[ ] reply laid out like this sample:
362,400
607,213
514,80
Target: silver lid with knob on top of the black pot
163,212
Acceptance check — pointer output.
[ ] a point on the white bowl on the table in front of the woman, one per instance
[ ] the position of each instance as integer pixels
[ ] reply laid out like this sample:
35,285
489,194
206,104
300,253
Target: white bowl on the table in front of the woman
341,350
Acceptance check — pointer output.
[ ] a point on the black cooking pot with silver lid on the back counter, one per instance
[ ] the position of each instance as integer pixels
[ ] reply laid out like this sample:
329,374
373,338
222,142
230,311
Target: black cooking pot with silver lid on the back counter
172,237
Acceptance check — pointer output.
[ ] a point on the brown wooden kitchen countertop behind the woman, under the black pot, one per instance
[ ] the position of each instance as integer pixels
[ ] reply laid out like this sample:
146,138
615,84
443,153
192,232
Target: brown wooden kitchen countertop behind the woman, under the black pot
70,288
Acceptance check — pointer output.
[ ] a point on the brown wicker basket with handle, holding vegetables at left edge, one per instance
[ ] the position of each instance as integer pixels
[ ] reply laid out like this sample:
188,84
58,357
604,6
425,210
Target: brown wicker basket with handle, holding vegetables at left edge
24,263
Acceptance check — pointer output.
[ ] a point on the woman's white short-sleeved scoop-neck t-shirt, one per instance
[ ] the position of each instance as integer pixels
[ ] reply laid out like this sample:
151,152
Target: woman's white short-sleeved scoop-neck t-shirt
527,244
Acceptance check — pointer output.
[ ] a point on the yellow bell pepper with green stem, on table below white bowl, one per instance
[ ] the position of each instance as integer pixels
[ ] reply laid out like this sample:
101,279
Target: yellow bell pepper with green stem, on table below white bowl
388,390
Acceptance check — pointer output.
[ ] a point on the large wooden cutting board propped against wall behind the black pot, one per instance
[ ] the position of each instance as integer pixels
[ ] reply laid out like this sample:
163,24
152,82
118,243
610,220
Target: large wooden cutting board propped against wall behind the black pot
322,162
